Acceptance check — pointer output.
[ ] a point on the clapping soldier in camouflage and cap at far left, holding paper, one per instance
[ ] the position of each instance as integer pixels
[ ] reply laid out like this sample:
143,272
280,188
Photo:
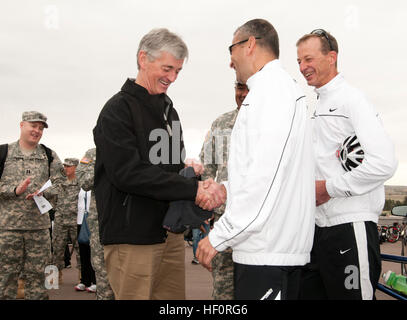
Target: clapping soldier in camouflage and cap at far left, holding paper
25,243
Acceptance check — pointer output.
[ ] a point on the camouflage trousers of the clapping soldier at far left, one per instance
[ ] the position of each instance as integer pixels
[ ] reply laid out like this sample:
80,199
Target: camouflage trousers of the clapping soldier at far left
25,252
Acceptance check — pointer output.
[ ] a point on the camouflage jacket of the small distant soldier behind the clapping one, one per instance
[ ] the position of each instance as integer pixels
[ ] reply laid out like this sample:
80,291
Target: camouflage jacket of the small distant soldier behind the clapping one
66,211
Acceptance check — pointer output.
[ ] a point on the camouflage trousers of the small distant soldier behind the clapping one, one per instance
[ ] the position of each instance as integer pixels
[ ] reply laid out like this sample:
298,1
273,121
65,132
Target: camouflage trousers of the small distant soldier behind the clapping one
60,237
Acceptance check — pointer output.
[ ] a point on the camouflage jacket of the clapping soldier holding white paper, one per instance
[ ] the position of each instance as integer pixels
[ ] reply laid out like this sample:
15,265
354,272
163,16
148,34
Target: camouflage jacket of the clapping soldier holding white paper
17,213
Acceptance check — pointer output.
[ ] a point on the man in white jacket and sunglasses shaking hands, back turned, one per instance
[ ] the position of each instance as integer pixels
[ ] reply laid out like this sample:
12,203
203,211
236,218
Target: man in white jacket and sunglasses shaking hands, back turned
269,216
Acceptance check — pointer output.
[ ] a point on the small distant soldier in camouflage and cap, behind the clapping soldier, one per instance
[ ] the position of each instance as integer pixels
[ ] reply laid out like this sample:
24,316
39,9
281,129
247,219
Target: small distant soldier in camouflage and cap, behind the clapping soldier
66,212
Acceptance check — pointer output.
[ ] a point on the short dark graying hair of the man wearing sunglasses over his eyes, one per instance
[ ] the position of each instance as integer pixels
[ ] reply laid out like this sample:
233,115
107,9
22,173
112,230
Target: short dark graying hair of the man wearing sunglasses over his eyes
264,30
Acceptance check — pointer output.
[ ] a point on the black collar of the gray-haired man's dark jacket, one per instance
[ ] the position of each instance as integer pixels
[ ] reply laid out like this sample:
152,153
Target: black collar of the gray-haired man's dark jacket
161,103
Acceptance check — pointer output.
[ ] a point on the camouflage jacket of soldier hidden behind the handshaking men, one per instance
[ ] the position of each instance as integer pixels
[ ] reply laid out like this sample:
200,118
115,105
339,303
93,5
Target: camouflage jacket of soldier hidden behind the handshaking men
215,151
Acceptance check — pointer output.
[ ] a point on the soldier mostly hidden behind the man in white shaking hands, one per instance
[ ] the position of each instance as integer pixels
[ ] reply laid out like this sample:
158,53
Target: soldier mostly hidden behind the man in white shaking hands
214,156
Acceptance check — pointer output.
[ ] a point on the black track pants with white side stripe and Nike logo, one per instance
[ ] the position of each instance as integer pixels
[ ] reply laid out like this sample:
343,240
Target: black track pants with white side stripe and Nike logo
345,263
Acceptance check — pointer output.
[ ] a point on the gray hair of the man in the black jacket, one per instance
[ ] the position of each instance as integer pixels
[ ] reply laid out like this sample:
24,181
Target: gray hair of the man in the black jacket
159,40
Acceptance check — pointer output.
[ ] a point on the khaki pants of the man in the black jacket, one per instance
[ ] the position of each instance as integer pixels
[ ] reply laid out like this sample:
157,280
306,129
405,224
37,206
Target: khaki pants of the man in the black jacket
145,272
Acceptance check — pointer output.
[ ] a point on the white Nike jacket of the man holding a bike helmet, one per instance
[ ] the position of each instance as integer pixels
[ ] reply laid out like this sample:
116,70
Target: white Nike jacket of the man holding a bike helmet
357,195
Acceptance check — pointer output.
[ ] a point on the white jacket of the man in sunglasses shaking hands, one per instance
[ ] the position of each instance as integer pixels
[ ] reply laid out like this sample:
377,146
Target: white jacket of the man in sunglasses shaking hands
269,215
